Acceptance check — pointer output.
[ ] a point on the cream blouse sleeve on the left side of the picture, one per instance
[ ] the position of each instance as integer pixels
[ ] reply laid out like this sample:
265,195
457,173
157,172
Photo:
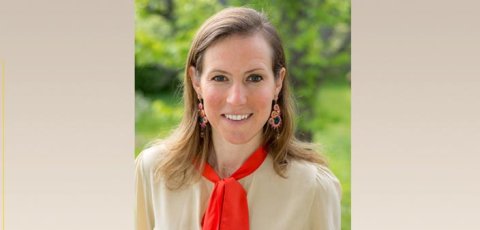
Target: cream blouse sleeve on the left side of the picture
143,211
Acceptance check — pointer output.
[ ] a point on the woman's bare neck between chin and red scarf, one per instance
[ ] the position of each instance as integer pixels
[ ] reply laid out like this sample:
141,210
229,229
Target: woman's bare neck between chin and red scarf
227,157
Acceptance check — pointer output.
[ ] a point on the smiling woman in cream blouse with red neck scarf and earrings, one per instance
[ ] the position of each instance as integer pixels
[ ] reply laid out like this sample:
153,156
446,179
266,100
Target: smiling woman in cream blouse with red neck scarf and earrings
233,162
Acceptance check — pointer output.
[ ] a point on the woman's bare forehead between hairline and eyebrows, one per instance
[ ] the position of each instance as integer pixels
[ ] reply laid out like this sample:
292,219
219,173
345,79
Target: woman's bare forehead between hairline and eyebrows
239,51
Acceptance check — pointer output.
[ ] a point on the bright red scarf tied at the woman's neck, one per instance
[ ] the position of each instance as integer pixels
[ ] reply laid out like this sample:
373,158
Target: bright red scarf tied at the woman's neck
227,208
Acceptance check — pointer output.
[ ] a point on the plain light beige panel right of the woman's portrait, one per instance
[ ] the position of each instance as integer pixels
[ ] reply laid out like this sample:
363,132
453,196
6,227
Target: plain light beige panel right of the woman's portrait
416,115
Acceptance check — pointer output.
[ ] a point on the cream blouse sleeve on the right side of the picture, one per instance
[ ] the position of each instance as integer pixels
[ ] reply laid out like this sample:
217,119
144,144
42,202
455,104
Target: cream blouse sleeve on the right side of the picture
325,212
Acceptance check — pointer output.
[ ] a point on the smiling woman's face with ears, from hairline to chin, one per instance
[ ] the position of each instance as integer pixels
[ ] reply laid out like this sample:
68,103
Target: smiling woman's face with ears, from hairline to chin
237,86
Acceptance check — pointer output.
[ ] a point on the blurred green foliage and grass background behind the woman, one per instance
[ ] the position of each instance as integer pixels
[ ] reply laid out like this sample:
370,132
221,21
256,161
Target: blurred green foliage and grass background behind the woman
316,35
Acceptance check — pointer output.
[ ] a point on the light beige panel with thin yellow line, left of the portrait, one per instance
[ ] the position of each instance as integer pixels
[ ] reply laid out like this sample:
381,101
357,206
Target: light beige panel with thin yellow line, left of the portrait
69,113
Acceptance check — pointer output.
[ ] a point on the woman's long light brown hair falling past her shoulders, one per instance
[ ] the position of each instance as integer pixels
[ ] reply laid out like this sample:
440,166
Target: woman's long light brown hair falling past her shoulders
185,152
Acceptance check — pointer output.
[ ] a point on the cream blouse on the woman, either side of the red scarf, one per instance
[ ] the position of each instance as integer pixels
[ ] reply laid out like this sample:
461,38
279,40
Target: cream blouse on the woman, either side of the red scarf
309,198
